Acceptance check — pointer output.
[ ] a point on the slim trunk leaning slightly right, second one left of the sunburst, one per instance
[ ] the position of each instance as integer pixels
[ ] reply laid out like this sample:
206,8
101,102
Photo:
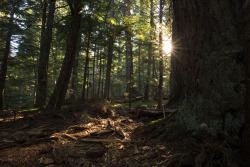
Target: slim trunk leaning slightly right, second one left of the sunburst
150,52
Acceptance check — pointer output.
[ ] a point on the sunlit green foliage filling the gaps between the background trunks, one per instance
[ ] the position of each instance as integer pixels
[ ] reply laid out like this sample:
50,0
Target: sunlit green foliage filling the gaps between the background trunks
98,20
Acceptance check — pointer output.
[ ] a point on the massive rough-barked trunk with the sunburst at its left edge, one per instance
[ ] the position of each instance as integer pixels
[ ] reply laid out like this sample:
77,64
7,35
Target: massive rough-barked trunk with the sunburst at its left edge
207,66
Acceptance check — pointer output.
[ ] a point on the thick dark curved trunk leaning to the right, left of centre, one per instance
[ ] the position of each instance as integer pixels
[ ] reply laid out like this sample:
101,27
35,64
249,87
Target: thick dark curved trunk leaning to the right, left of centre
61,87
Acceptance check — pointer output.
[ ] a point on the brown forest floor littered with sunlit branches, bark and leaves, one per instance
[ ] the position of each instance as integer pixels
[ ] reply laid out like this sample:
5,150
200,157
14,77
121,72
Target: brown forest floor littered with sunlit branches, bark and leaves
96,135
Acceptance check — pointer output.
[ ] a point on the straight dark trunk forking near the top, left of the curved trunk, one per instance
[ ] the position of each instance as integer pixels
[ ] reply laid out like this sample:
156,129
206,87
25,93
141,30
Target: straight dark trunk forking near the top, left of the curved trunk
46,38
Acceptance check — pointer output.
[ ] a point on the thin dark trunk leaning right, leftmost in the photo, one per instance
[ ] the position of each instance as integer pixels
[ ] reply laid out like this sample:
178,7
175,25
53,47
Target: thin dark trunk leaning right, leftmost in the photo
3,71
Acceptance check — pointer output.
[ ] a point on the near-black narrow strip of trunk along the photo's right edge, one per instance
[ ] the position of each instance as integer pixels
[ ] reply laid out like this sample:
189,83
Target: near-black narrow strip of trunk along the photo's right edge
246,132
